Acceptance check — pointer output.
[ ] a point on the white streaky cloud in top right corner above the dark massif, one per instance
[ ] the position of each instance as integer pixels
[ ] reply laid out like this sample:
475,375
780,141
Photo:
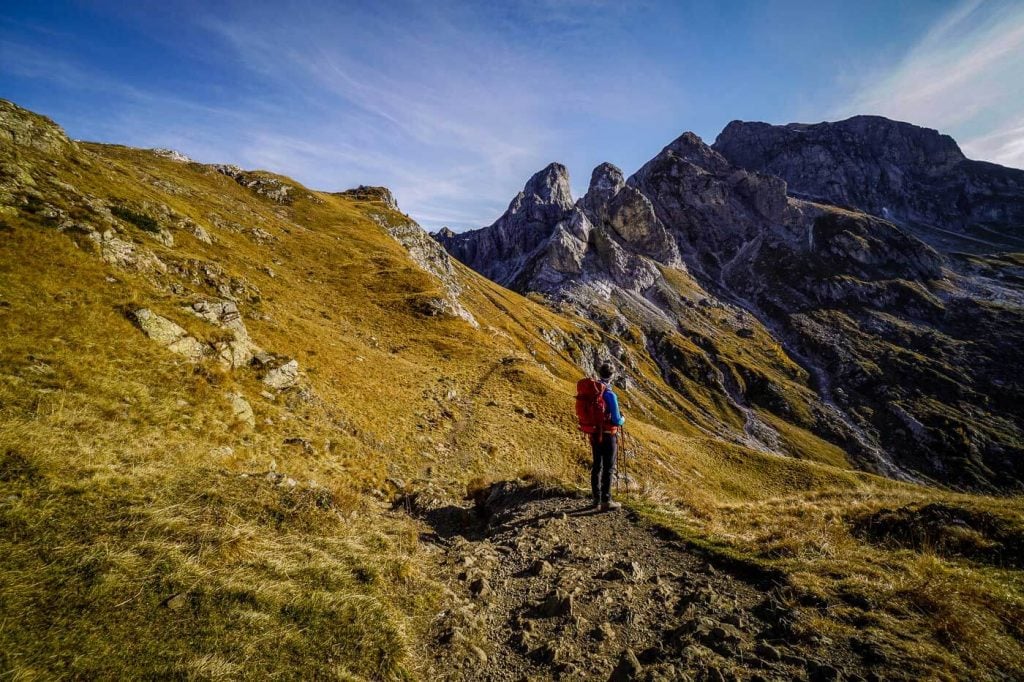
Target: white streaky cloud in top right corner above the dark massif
964,77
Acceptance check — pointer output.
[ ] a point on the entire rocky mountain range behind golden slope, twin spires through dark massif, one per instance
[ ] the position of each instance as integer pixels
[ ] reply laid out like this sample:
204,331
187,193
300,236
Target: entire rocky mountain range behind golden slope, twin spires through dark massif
899,350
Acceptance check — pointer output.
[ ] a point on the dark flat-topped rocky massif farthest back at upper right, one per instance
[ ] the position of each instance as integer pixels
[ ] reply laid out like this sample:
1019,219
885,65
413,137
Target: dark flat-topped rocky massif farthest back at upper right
913,177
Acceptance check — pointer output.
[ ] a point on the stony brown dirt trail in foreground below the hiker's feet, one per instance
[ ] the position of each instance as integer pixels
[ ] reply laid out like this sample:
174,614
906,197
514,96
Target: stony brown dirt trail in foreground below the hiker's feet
541,587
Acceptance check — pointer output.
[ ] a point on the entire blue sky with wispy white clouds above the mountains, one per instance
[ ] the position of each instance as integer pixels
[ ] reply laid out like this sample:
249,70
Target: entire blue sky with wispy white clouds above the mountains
455,105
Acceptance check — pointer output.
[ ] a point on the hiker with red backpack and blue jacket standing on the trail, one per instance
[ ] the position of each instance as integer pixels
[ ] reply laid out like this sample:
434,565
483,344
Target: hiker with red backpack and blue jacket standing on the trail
598,409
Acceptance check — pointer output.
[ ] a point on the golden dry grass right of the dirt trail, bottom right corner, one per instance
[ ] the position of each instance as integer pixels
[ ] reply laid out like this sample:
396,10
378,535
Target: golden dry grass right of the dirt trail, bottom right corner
935,615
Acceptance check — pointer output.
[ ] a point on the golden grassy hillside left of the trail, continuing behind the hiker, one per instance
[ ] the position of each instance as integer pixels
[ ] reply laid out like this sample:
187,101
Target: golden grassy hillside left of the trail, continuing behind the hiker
141,534
